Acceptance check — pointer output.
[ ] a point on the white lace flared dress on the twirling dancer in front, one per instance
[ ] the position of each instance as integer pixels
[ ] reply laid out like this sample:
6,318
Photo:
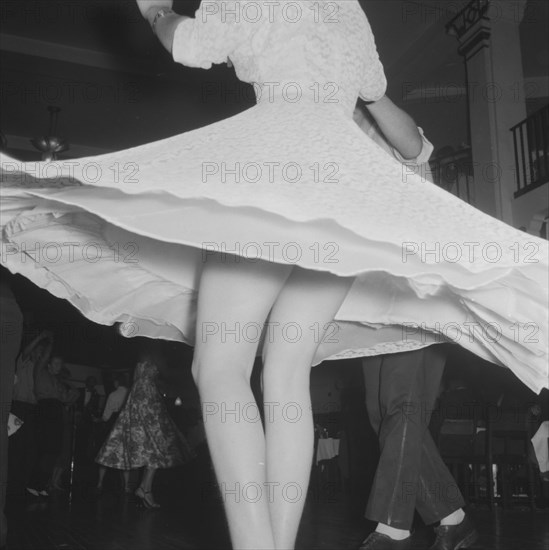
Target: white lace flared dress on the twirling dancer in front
292,180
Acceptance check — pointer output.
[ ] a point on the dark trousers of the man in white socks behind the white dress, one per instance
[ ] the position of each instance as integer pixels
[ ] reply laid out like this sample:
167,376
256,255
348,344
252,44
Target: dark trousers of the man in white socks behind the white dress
401,390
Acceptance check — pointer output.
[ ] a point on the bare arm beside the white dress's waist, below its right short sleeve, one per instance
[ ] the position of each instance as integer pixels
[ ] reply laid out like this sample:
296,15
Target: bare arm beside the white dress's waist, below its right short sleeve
397,126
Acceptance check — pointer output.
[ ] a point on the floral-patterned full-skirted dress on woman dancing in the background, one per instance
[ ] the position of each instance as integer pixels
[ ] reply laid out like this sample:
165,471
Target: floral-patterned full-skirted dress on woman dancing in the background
144,433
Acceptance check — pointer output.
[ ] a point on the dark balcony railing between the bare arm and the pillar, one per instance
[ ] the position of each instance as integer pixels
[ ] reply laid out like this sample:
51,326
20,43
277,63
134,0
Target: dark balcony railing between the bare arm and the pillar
453,171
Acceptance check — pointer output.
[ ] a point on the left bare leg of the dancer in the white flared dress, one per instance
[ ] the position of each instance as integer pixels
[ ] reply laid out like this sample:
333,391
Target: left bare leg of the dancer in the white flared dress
235,298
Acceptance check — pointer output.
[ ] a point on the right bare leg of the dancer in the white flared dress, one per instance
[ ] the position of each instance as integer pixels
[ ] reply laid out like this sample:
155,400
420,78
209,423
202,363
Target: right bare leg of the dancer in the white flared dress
301,317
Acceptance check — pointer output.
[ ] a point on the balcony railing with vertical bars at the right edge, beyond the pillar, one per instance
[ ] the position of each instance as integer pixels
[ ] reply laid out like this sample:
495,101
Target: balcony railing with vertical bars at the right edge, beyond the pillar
531,142
